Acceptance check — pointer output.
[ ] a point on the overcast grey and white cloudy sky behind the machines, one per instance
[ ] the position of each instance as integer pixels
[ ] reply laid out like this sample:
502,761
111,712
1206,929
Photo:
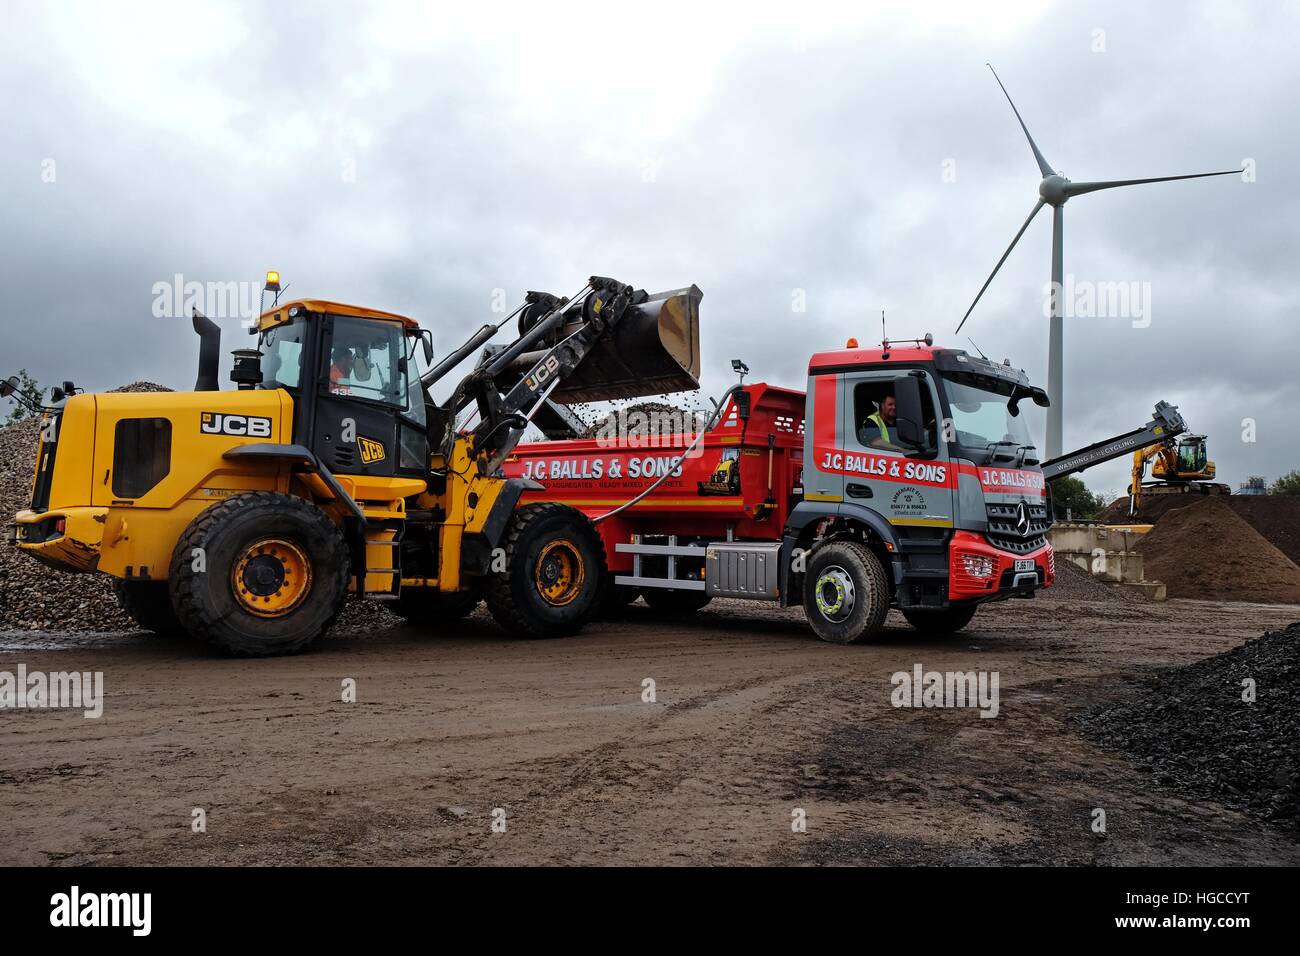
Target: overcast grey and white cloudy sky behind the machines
421,157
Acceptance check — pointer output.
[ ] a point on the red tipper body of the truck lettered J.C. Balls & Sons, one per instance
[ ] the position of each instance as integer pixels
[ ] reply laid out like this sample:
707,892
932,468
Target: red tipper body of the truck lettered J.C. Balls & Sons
597,475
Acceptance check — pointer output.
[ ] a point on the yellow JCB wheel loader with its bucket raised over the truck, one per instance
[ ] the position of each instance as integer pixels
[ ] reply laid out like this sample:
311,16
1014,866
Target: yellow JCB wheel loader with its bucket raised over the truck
246,517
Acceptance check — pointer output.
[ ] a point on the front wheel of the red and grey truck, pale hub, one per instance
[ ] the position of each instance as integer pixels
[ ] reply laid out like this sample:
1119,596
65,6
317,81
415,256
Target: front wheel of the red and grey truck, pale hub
846,592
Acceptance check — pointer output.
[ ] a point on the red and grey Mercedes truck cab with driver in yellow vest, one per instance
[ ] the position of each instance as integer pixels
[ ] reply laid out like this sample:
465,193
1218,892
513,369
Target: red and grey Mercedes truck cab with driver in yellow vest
921,457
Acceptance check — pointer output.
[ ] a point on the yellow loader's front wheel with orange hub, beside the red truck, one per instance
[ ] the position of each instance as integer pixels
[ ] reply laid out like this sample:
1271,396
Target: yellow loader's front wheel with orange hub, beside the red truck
553,573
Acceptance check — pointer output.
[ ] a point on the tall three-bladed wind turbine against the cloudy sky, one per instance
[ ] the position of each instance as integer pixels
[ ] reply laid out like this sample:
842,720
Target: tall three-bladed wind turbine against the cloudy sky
1055,191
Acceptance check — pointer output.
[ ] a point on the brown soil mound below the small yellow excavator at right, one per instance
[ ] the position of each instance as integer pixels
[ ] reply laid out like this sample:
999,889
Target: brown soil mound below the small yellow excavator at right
1210,552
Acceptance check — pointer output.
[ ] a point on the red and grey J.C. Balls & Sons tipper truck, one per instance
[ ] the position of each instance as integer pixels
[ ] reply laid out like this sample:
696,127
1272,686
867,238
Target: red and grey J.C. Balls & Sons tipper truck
800,499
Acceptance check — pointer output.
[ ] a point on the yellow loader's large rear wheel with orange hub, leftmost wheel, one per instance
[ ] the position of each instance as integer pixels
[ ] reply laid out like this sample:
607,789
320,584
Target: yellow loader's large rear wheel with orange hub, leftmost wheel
261,574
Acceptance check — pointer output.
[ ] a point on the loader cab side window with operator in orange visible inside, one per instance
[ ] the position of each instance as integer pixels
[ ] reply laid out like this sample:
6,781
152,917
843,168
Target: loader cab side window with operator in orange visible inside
369,360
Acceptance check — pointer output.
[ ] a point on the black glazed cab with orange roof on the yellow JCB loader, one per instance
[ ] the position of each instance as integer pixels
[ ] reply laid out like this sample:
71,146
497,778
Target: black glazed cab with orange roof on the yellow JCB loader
353,375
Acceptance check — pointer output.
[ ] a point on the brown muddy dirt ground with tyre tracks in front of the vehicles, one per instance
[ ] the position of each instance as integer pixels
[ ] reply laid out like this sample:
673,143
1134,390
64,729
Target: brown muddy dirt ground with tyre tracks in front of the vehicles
755,720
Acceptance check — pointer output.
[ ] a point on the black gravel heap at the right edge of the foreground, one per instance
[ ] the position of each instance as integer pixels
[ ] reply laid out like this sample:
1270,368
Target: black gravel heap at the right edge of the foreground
1194,732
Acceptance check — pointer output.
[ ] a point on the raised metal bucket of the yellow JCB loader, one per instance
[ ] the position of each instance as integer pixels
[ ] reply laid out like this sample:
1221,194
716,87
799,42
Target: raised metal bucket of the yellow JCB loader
653,351
